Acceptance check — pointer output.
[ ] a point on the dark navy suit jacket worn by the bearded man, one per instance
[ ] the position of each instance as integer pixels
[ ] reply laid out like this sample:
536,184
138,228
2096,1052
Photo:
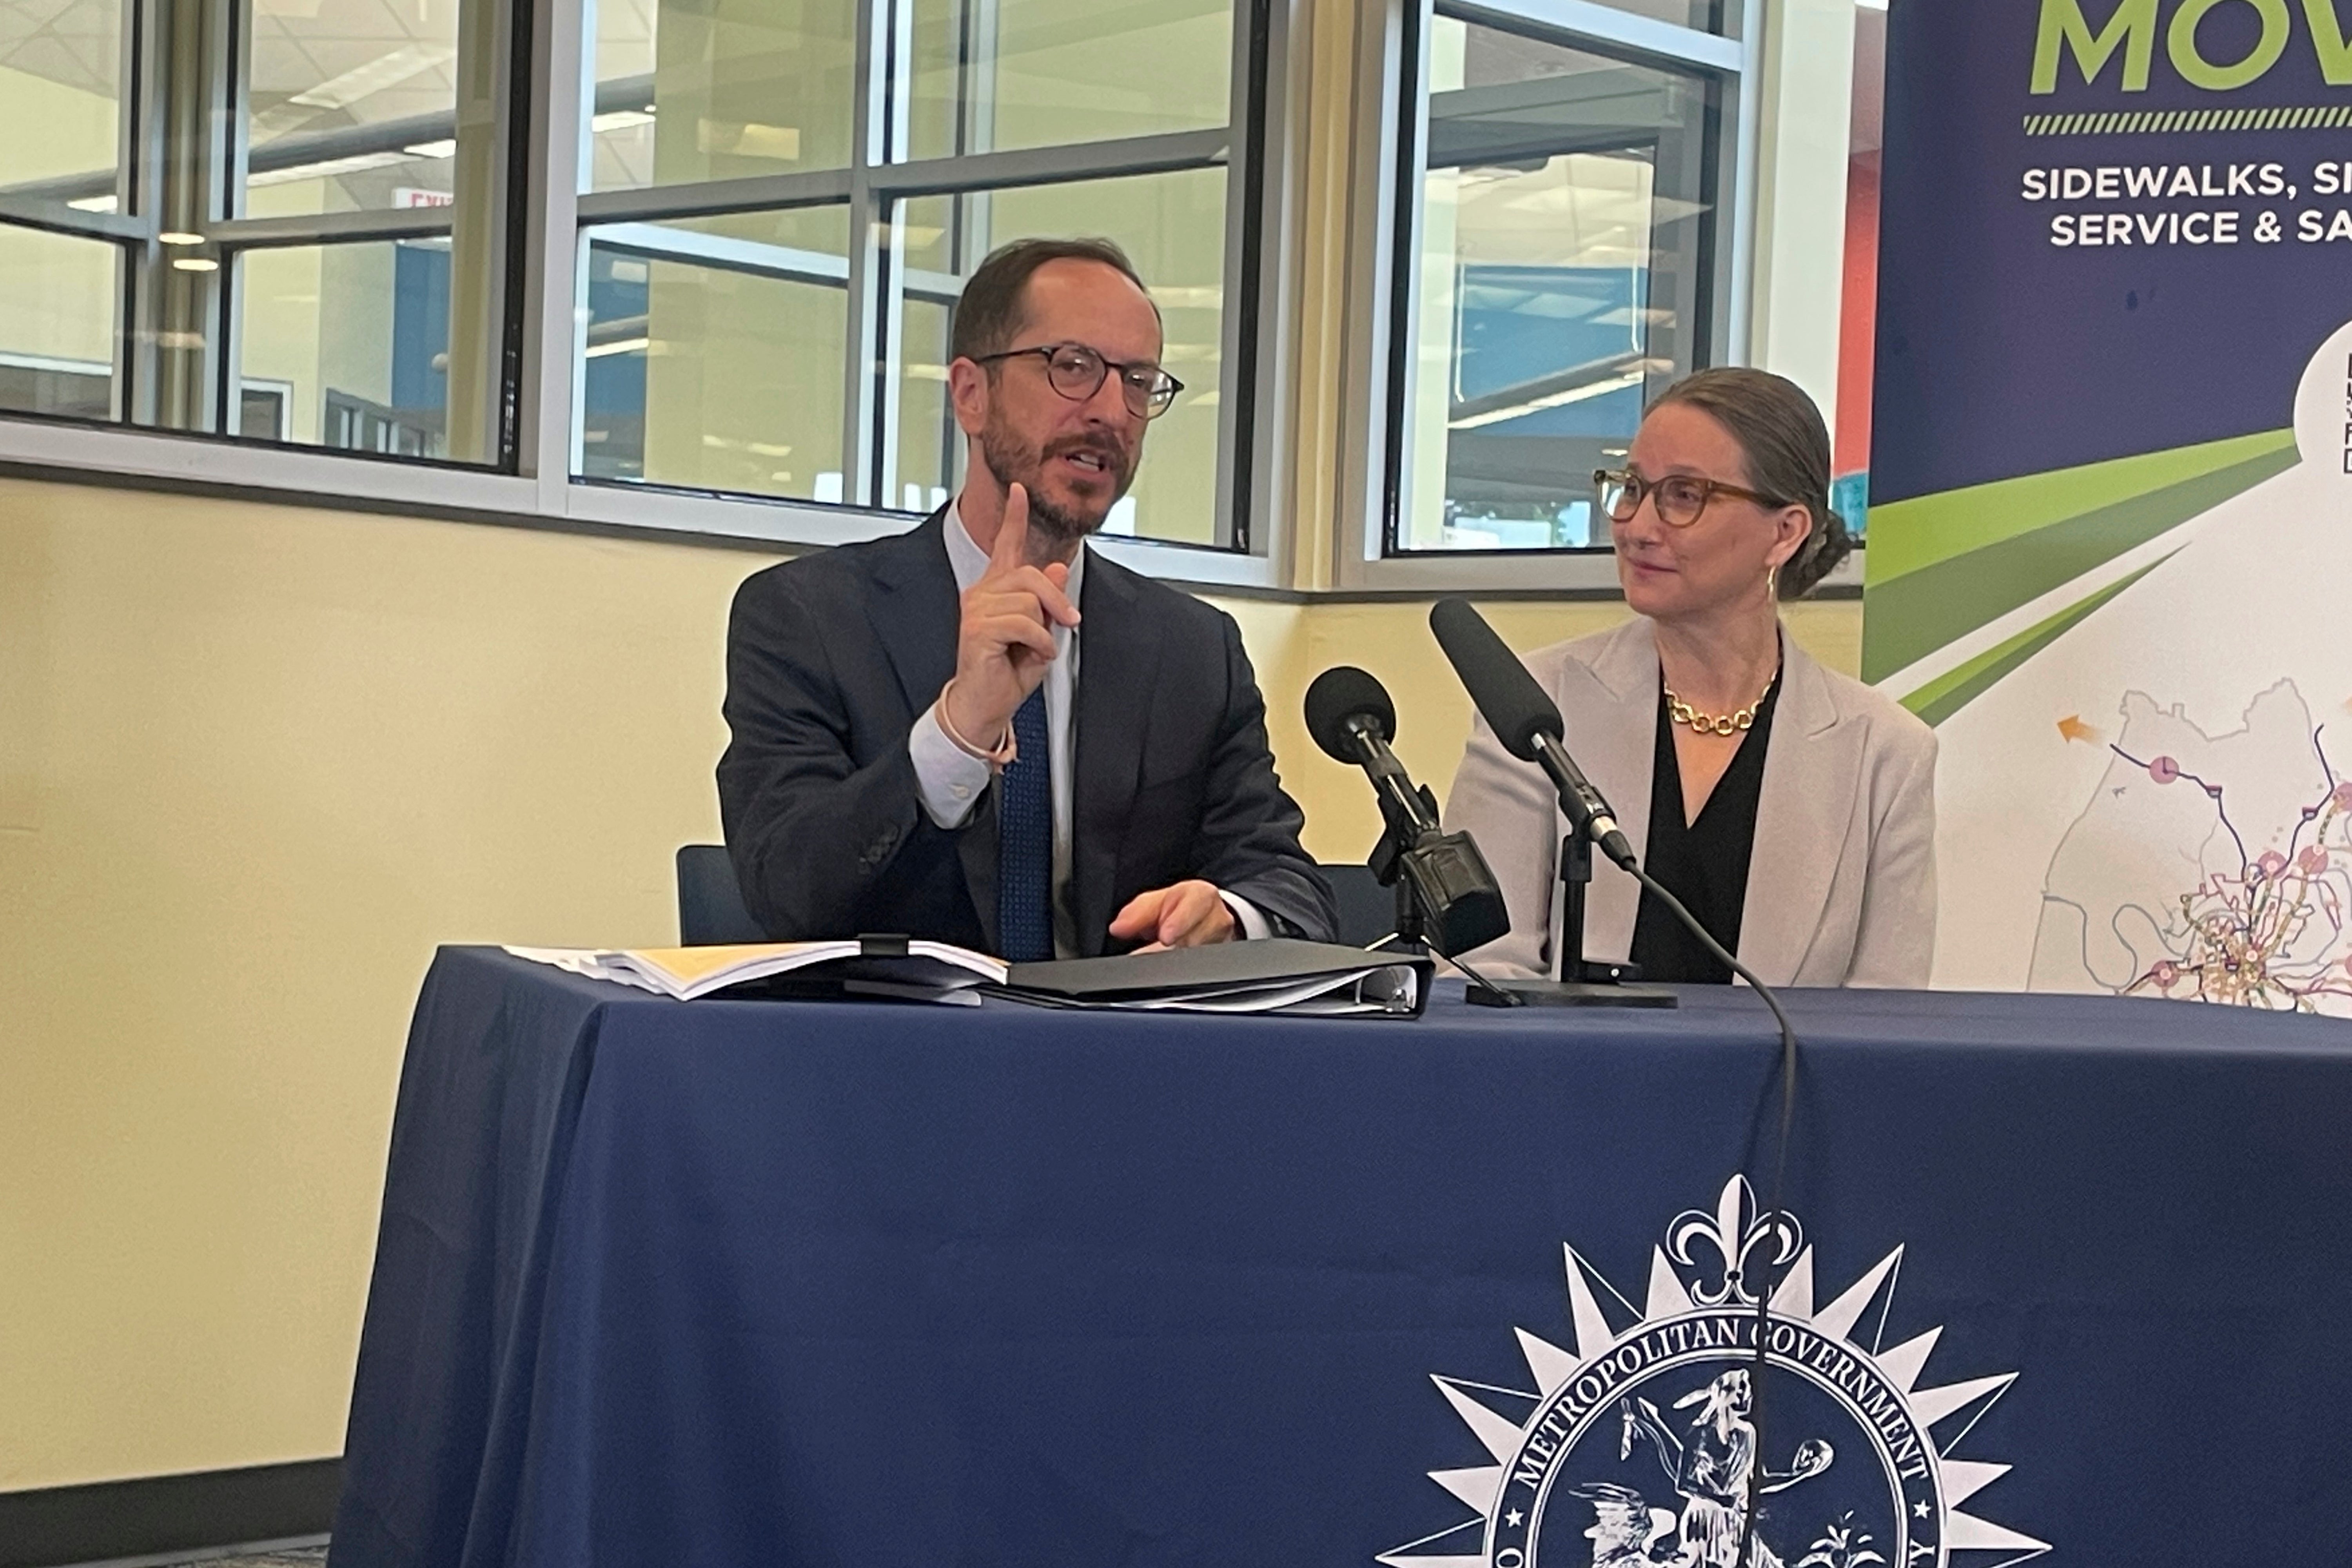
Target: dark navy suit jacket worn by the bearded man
836,655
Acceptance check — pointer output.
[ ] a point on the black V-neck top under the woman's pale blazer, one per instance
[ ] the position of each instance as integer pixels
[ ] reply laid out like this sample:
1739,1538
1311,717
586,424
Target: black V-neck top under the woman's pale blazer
1704,864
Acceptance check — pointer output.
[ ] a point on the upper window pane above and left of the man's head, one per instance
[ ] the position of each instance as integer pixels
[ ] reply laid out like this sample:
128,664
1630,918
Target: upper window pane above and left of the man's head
721,91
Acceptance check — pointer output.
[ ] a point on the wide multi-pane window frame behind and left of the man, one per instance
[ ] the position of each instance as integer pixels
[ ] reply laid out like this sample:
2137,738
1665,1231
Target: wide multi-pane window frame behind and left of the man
547,81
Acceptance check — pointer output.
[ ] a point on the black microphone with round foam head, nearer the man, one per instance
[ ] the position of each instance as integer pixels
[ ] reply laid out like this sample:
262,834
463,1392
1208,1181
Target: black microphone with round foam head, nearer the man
1448,894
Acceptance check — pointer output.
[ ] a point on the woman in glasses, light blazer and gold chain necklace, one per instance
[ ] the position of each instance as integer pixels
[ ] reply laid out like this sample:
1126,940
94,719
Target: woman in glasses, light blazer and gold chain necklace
1789,808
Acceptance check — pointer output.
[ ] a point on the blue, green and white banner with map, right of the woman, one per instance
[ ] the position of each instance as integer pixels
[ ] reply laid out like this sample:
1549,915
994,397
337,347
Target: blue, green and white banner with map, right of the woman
2111,530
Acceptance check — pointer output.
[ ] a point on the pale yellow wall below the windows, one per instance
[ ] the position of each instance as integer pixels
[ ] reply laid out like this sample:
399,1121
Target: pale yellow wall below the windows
255,763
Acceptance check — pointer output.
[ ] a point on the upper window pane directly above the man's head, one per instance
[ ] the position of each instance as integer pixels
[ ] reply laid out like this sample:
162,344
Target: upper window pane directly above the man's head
1027,74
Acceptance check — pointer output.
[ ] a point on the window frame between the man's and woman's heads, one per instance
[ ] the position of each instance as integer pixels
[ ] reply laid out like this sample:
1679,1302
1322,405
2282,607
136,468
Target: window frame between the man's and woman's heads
1389,232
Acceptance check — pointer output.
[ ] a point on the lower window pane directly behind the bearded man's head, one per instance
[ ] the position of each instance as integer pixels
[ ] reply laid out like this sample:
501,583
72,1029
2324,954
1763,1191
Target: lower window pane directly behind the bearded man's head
1172,227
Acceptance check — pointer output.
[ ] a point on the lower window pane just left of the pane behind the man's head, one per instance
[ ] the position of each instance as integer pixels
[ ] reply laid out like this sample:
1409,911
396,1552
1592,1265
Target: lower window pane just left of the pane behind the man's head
719,351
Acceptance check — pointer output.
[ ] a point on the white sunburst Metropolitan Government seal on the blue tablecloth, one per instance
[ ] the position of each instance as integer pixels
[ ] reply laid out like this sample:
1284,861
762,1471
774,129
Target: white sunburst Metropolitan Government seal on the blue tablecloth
1641,1447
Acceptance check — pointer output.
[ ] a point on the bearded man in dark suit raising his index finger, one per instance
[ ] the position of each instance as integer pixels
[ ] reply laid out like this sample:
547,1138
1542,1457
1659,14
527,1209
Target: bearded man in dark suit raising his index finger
984,732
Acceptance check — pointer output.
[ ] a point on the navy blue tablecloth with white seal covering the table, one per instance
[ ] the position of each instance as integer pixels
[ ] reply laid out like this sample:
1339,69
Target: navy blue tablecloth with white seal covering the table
742,1282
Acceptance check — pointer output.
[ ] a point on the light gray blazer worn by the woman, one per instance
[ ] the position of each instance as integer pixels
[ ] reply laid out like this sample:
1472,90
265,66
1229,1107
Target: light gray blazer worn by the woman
1843,880
